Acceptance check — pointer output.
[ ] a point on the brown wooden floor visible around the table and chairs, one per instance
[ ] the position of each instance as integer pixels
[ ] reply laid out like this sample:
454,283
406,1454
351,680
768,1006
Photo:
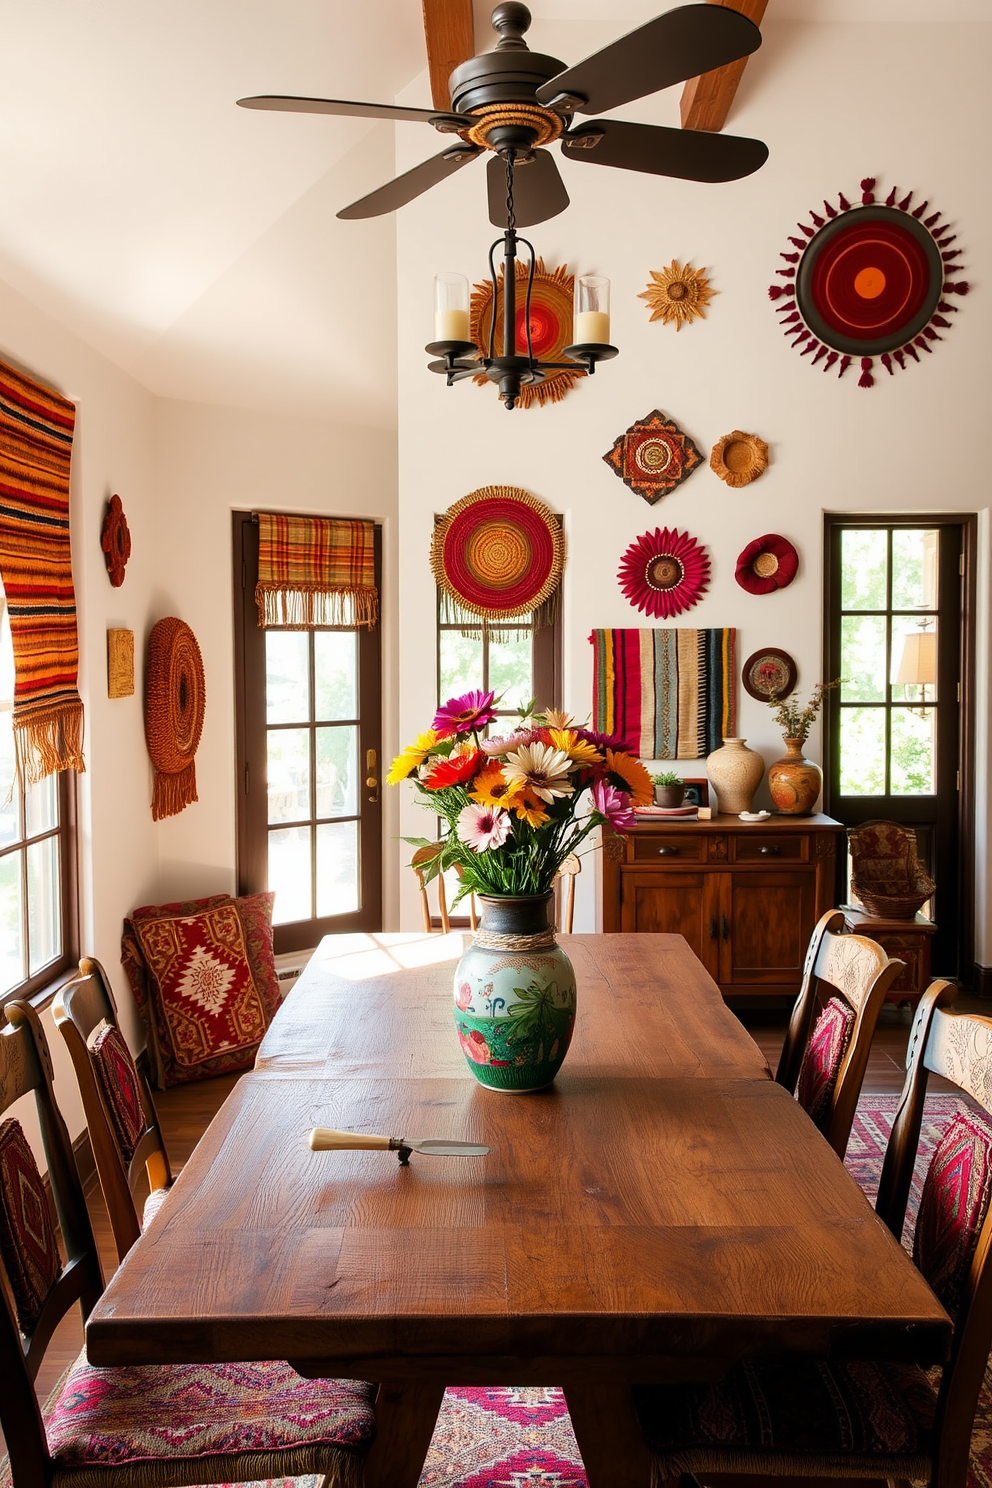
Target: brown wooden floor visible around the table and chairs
188,1109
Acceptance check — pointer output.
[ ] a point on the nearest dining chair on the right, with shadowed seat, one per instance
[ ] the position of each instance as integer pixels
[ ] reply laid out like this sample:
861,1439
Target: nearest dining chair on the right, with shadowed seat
835,1419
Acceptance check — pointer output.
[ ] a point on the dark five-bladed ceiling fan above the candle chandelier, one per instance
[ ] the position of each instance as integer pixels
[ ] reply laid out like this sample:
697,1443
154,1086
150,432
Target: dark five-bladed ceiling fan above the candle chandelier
514,102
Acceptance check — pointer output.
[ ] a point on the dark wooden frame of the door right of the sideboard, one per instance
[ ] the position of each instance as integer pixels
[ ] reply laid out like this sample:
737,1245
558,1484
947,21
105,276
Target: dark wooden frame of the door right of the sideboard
970,974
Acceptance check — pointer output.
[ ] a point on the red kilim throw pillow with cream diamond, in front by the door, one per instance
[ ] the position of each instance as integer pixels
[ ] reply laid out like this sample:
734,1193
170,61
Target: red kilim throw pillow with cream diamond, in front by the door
207,1005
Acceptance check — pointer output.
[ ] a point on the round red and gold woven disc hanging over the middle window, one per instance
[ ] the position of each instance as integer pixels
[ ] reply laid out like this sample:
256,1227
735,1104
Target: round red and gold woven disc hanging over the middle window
499,553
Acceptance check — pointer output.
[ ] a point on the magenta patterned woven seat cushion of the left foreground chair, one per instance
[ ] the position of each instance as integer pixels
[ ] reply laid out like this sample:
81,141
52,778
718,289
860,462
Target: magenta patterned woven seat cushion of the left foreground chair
152,1411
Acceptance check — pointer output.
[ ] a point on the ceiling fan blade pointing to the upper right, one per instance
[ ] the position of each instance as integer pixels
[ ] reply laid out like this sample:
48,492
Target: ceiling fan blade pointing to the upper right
671,48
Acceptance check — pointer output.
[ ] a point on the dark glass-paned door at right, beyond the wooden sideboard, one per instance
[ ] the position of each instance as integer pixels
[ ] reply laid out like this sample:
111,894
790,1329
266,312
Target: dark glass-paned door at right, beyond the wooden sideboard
895,745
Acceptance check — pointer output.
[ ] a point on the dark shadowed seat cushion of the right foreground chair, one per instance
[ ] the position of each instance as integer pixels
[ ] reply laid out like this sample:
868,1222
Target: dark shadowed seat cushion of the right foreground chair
789,1411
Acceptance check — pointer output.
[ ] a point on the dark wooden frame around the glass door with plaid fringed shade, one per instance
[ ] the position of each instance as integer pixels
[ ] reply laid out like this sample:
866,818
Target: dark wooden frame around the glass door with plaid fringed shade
252,816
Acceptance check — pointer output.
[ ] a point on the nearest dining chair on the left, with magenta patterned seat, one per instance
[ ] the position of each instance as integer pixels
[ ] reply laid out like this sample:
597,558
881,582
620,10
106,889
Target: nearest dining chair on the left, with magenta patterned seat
157,1426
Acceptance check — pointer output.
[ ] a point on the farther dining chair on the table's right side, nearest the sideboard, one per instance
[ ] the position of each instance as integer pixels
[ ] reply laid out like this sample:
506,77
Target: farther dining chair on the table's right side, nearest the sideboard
829,1039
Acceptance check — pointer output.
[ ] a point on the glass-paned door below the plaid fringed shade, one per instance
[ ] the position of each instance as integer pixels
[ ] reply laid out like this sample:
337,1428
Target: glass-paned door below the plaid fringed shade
310,819
